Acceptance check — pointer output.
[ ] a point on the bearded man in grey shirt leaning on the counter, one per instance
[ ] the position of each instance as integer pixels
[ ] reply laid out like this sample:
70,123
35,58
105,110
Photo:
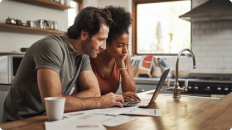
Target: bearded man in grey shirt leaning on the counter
51,66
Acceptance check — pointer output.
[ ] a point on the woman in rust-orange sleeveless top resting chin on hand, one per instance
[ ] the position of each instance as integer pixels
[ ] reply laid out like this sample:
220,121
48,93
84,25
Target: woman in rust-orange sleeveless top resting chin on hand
115,59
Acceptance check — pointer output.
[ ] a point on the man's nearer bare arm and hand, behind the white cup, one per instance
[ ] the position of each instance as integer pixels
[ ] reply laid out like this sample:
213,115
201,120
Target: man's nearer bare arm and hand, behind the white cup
50,86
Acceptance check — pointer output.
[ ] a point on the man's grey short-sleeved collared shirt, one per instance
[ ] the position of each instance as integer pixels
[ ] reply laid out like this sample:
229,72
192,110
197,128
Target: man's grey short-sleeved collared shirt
53,52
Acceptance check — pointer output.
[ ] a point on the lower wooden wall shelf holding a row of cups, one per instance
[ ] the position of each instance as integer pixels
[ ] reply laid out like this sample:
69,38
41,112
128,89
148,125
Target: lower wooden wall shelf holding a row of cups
29,29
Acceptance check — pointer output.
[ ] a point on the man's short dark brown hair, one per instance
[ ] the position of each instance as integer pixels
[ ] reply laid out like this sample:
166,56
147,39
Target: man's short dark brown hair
89,19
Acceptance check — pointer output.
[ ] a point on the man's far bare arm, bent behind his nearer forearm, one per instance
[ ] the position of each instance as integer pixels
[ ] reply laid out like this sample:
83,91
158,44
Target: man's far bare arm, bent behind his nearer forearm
89,85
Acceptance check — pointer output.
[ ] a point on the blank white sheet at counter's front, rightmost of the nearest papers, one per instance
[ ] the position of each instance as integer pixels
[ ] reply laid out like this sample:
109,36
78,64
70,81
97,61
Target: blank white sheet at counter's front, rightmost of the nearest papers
118,120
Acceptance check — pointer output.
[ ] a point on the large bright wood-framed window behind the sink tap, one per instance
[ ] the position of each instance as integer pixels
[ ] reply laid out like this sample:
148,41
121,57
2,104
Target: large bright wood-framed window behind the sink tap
159,29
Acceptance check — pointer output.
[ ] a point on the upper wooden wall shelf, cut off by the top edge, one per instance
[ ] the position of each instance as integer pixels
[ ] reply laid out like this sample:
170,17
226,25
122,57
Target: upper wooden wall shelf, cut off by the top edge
47,3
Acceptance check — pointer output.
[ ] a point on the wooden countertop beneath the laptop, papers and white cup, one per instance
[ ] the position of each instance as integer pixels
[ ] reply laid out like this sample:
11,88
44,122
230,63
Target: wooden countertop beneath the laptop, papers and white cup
187,113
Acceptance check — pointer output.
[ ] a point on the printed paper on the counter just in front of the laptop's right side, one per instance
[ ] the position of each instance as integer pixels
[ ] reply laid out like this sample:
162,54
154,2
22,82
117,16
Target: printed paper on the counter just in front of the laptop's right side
145,112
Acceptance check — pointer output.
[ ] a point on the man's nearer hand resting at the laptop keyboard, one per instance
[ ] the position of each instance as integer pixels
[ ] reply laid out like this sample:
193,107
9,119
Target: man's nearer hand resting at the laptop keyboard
110,100
